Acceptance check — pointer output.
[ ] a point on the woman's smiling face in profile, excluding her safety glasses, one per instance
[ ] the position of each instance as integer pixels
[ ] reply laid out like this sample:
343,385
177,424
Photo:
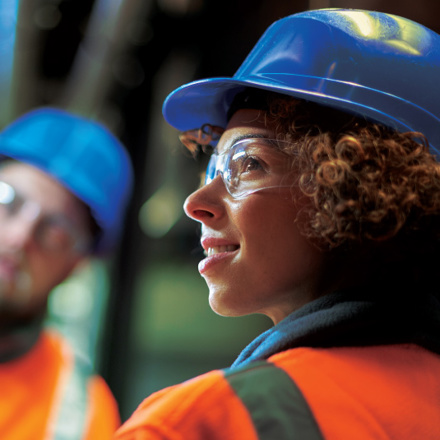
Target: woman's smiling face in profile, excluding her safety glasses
258,261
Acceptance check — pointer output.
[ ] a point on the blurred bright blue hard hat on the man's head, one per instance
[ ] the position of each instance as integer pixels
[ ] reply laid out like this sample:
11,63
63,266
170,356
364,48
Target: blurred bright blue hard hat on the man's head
81,154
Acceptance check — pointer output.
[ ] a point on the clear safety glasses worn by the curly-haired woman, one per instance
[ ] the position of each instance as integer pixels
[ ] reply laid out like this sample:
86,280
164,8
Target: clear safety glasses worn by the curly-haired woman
251,165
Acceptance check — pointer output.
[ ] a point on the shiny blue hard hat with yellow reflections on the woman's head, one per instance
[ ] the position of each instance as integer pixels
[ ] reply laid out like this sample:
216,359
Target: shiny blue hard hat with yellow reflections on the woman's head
382,66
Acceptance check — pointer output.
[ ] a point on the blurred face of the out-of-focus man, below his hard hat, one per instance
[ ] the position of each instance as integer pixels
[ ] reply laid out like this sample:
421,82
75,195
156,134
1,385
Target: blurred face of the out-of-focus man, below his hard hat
36,231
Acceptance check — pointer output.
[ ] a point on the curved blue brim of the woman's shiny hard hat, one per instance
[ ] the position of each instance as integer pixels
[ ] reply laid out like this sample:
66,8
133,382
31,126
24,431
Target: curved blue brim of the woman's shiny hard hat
208,101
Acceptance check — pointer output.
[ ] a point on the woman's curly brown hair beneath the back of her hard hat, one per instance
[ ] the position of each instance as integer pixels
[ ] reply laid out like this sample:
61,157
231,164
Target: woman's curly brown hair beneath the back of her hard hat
368,184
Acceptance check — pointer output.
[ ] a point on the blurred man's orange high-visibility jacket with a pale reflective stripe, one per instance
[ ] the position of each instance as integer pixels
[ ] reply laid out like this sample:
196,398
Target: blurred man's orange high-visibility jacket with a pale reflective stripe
45,395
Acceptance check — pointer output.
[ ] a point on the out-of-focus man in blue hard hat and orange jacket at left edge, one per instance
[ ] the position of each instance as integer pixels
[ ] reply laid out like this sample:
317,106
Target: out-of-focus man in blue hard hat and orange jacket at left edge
64,185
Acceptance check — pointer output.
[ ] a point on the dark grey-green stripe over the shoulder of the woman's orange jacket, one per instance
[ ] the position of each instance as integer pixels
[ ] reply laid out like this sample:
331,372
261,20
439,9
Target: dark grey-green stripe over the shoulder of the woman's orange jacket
275,403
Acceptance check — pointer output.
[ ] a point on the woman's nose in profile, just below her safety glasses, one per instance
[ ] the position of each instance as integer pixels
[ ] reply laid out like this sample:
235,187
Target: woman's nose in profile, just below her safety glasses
205,204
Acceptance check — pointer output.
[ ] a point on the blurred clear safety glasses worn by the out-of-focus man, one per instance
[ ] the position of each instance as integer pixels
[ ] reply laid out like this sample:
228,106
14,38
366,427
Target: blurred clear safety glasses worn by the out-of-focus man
53,232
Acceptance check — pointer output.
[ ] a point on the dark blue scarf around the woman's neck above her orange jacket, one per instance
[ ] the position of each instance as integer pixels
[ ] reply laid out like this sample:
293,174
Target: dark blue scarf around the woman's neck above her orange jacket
352,318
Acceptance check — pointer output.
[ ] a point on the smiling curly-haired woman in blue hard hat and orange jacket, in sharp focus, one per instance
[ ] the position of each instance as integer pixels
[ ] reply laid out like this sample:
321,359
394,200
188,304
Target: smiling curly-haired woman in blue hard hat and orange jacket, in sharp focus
323,214
